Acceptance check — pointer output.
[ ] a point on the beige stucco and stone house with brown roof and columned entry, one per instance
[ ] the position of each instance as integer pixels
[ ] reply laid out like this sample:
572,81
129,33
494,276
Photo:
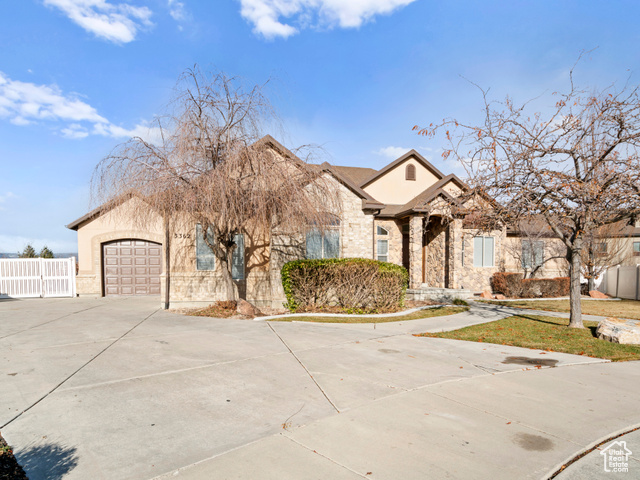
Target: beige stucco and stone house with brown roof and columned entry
402,213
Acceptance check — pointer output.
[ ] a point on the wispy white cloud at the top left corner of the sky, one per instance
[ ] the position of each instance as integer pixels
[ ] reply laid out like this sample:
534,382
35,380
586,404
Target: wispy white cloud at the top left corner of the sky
117,23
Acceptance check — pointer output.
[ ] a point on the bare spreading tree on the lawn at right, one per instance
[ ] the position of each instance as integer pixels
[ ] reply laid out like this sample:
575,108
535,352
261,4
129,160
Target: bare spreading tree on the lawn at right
576,166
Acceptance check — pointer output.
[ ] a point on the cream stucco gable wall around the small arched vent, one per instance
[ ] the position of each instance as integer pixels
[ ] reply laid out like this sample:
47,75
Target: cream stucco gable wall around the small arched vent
394,189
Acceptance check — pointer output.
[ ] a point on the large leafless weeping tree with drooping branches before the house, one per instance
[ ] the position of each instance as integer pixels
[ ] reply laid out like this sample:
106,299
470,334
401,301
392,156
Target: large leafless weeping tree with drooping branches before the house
212,165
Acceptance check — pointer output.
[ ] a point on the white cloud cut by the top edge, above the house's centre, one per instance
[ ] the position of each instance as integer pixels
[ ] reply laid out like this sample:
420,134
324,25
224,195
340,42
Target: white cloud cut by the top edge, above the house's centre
266,15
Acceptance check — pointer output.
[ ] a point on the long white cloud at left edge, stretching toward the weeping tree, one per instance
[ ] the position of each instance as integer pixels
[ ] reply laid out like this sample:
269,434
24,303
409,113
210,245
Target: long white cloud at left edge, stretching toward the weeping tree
24,103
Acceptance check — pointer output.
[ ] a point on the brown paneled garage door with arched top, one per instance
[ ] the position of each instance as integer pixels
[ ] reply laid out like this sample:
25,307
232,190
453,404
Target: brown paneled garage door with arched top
131,267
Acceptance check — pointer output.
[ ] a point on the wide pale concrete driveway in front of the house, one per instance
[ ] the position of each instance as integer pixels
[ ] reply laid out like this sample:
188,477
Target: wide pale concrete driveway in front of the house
118,389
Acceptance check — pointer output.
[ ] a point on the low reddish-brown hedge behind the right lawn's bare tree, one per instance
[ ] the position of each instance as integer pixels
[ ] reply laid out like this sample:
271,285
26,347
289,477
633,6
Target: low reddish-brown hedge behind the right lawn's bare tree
514,286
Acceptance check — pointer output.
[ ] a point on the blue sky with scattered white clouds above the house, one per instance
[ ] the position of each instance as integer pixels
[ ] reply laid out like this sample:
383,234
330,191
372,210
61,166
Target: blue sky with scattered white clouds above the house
77,77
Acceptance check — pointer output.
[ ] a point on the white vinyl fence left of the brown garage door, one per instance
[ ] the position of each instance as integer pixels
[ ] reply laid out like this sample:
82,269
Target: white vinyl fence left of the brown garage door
37,277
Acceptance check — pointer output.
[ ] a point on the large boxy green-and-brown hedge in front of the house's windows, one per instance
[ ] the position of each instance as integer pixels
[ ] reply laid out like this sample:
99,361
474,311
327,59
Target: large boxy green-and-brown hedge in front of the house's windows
354,285
